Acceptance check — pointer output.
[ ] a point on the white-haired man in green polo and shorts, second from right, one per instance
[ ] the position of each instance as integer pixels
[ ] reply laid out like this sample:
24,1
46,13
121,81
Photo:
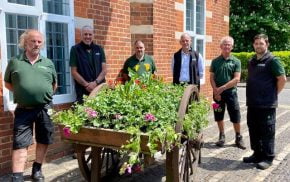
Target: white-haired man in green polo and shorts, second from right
225,73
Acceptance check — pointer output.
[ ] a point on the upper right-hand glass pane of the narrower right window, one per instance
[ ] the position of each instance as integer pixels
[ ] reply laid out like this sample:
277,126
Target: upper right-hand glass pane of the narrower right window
200,17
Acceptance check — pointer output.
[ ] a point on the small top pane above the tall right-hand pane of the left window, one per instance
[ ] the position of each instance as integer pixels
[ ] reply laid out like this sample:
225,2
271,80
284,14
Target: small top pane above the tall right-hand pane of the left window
59,7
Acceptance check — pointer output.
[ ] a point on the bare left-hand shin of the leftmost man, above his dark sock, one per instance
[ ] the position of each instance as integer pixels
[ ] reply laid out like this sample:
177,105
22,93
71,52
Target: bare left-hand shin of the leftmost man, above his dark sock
19,158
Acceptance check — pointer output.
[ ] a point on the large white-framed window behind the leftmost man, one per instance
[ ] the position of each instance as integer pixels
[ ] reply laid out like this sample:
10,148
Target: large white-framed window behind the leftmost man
56,24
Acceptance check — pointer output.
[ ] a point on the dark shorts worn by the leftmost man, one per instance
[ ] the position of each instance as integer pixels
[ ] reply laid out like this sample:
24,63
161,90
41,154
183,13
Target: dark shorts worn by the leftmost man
23,127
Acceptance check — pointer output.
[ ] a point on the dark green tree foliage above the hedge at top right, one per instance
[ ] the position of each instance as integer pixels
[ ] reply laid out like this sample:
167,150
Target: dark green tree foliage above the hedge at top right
251,17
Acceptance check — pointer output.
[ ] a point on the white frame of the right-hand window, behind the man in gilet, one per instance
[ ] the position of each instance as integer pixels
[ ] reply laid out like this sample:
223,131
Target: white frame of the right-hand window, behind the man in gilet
195,35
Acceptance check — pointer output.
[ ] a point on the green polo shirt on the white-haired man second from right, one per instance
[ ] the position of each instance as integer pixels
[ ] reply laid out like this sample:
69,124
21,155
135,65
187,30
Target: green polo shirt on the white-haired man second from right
224,69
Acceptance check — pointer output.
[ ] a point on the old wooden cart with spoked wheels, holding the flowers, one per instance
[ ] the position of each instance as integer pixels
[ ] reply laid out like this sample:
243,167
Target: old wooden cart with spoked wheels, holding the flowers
181,162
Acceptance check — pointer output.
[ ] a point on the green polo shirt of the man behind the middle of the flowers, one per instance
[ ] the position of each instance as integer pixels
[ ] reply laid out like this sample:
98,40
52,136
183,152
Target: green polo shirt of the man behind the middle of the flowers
145,65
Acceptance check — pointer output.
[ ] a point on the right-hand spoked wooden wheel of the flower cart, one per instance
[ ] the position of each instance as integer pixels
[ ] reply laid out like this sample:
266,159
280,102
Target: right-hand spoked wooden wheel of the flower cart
182,161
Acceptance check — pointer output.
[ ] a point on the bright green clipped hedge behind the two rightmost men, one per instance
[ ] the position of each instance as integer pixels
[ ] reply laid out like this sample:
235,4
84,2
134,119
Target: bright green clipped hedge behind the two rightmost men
245,56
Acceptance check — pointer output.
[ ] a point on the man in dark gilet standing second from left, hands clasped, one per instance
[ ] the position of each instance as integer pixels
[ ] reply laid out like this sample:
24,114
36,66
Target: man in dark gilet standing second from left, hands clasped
88,64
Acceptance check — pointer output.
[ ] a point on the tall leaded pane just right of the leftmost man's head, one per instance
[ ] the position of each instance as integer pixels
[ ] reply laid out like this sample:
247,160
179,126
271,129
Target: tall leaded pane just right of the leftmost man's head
58,52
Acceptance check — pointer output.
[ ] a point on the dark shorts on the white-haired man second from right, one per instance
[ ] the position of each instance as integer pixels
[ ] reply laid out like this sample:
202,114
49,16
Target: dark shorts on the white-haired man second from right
229,100
